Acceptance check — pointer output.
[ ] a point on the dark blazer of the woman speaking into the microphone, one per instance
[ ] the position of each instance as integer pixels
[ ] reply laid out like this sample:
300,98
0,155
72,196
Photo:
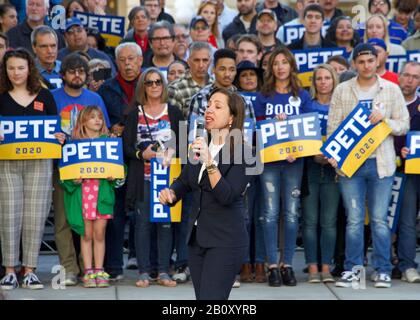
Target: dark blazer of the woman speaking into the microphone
220,212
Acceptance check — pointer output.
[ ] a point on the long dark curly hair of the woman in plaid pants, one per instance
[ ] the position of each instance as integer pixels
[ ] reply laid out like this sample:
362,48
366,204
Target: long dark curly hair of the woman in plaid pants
33,84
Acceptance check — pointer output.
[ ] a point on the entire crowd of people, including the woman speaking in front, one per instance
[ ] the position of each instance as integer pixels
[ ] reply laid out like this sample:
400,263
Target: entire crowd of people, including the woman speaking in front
163,73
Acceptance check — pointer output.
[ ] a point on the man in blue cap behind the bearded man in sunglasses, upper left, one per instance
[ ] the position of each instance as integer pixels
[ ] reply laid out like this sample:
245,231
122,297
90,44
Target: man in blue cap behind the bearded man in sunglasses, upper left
76,38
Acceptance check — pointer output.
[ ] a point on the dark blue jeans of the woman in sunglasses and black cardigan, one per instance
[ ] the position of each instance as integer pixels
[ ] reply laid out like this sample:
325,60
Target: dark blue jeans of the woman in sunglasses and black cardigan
143,236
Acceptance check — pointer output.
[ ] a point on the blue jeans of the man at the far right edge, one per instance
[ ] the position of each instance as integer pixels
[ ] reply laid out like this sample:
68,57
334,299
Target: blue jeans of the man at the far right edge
407,237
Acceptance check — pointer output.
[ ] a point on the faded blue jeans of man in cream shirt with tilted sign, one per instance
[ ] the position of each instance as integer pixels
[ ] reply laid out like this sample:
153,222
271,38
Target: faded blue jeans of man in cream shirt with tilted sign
366,182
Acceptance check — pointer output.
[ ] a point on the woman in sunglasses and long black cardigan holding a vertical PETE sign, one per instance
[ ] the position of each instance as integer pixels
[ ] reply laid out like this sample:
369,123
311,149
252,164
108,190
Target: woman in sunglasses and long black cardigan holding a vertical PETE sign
151,120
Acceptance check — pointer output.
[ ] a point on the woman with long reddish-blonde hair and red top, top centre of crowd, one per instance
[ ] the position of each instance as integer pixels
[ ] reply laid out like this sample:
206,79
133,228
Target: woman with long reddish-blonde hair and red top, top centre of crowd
208,10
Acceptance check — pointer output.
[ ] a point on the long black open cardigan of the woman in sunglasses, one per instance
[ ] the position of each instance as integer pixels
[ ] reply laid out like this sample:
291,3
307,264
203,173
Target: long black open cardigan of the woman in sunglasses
135,175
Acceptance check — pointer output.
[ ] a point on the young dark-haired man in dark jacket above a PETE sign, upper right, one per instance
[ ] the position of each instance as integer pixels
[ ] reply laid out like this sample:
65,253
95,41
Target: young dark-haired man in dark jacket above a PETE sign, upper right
313,19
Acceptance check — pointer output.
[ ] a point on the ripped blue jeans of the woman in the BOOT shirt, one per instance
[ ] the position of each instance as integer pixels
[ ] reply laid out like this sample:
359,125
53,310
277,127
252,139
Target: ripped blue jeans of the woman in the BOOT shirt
281,179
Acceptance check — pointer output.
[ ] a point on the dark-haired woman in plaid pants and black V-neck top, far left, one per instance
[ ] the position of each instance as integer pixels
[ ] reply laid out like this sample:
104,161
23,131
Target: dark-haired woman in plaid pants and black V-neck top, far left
25,185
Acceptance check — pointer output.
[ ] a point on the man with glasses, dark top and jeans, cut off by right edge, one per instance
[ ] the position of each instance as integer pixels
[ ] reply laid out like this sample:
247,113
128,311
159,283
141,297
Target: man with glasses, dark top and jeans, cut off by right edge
407,239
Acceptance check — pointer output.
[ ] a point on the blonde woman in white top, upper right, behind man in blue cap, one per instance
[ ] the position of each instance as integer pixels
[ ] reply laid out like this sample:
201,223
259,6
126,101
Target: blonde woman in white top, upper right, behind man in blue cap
377,27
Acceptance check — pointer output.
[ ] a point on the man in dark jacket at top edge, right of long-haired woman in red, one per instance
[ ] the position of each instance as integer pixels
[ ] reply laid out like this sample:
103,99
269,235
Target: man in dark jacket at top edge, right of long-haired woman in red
244,22
